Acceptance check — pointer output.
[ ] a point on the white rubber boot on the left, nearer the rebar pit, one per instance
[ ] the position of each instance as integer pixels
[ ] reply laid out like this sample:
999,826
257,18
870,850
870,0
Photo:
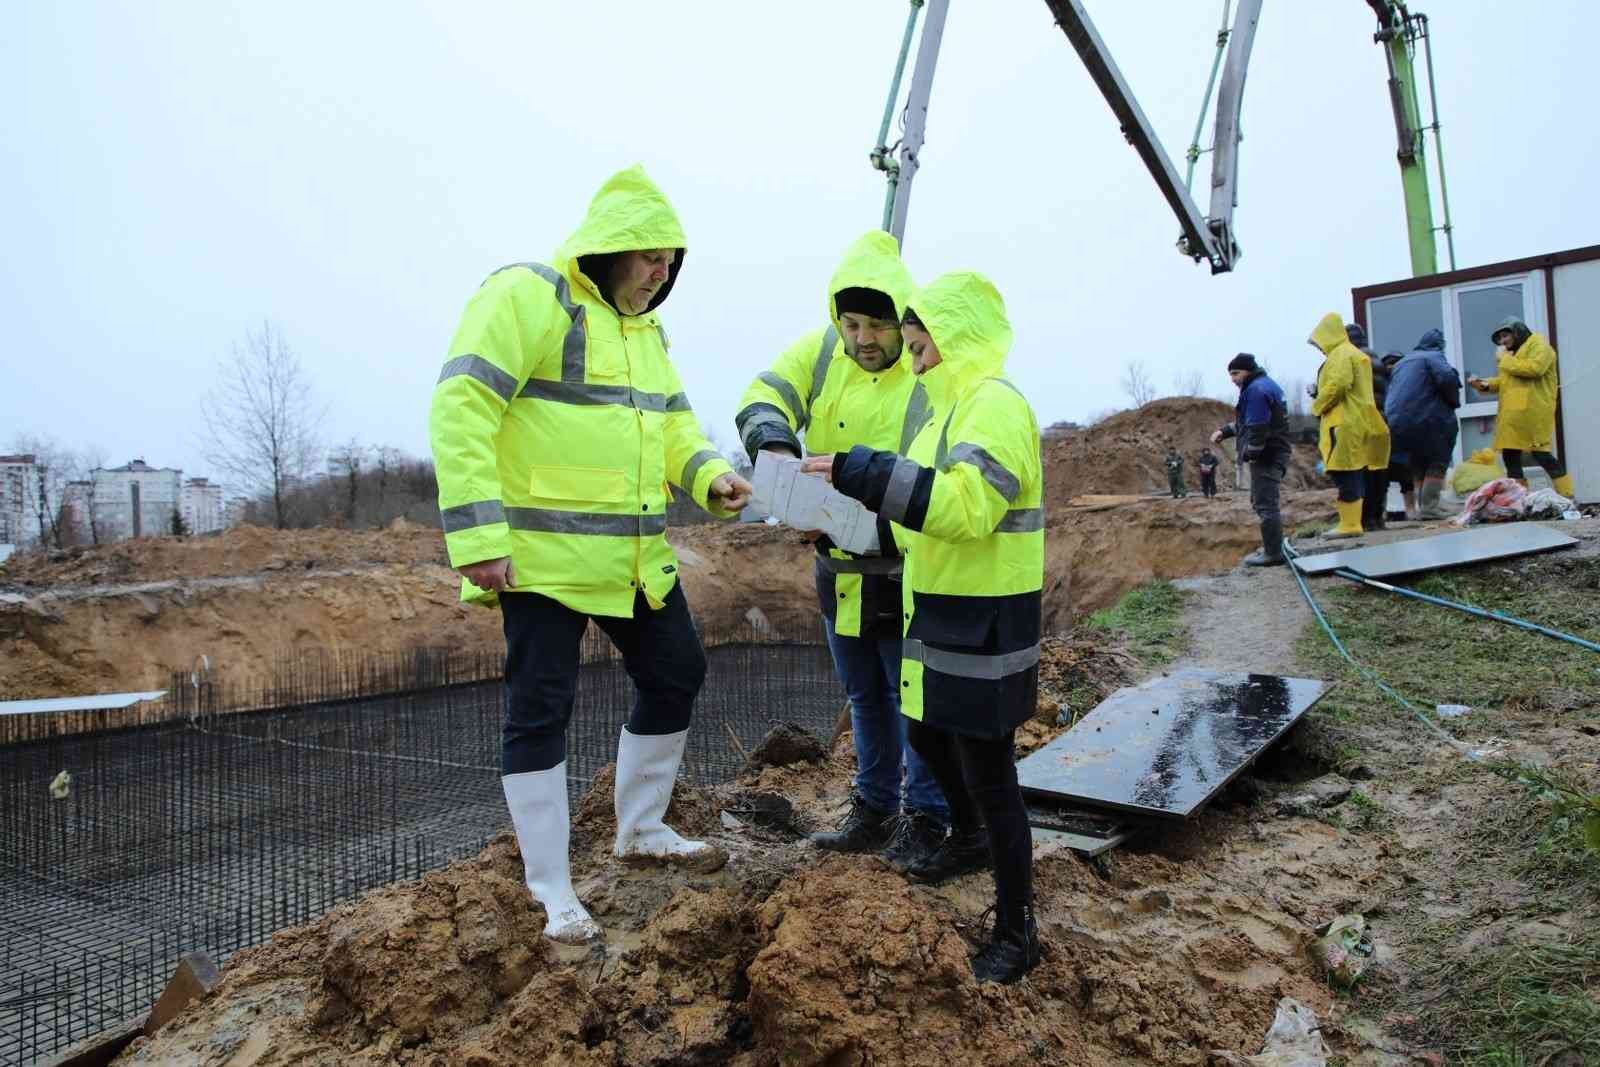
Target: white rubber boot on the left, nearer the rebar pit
538,810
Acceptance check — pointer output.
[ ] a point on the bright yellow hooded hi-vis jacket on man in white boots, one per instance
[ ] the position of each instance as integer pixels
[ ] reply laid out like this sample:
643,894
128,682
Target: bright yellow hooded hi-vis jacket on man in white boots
558,423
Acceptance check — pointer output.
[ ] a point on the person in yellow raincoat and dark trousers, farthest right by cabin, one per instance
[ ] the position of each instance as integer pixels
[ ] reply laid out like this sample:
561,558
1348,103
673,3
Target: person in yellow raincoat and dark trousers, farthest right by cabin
1527,385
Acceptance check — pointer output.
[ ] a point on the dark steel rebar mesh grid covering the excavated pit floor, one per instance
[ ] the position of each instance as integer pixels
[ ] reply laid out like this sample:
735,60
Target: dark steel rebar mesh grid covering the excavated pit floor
214,828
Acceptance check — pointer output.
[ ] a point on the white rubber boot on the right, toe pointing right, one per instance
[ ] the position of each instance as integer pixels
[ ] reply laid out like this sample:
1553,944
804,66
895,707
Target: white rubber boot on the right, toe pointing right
646,770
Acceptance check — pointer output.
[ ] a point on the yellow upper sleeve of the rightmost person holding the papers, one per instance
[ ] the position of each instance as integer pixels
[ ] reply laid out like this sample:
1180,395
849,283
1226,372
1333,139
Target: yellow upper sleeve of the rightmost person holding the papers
993,452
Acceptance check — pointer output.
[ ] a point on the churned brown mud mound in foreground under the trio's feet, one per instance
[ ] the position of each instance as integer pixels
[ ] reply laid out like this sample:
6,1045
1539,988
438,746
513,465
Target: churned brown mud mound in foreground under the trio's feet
793,957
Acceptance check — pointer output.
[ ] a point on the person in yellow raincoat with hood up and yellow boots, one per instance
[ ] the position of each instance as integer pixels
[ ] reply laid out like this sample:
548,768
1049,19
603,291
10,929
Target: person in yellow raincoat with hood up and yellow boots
1353,436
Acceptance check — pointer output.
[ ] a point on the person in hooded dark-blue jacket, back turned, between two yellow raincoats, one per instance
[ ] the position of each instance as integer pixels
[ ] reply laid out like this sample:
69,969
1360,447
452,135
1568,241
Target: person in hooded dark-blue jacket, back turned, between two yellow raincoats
1425,393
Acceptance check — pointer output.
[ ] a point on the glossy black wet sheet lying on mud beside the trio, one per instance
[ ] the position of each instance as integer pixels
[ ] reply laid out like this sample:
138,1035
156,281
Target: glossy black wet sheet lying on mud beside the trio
1167,748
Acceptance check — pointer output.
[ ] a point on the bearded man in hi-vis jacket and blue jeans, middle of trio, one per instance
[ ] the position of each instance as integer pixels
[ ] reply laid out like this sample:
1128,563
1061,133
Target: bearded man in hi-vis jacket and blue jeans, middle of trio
846,386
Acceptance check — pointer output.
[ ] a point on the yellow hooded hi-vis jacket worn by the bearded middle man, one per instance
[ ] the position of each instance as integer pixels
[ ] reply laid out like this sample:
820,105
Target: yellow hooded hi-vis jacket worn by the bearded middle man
817,390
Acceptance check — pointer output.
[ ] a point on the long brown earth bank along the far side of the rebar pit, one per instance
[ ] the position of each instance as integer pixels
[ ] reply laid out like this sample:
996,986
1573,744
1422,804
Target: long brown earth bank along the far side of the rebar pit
126,617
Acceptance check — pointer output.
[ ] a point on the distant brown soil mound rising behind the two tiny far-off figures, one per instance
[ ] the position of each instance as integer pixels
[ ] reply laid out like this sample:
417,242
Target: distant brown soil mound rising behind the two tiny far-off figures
1127,452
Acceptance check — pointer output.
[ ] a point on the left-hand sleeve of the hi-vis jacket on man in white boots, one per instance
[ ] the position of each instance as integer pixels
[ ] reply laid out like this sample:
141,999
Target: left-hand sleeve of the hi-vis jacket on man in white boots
511,324
